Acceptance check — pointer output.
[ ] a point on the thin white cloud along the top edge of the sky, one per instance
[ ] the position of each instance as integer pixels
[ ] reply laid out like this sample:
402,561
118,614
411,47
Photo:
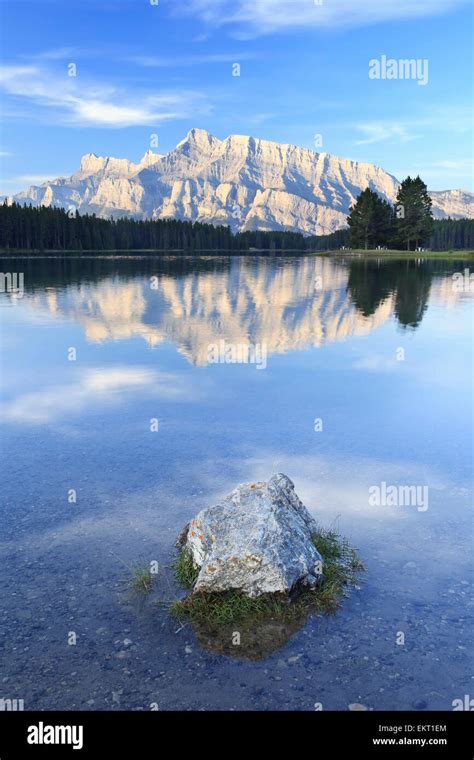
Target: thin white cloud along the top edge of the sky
264,16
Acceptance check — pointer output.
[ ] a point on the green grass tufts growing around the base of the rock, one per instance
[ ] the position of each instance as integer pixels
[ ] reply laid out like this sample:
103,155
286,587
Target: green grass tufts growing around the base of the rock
341,568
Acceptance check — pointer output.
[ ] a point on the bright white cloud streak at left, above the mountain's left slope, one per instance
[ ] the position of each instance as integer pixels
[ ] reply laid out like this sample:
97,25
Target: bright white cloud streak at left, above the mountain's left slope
77,102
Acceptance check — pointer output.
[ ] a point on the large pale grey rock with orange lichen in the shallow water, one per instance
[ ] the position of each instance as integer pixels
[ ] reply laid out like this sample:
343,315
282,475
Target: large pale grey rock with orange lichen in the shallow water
257,540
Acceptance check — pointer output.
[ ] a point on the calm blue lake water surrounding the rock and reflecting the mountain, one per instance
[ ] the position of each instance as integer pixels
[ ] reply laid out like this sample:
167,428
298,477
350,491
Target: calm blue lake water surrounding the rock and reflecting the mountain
367,380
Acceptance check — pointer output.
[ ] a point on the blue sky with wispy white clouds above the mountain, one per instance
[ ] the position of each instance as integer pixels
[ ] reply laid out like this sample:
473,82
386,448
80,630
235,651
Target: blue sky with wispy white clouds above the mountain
116,77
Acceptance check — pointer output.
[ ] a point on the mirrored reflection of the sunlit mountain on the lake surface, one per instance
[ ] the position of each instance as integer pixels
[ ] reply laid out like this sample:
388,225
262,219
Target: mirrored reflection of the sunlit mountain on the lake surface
285,303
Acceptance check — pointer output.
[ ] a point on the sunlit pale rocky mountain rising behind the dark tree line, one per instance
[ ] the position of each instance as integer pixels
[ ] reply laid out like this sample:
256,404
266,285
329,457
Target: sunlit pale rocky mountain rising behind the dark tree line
242,182
